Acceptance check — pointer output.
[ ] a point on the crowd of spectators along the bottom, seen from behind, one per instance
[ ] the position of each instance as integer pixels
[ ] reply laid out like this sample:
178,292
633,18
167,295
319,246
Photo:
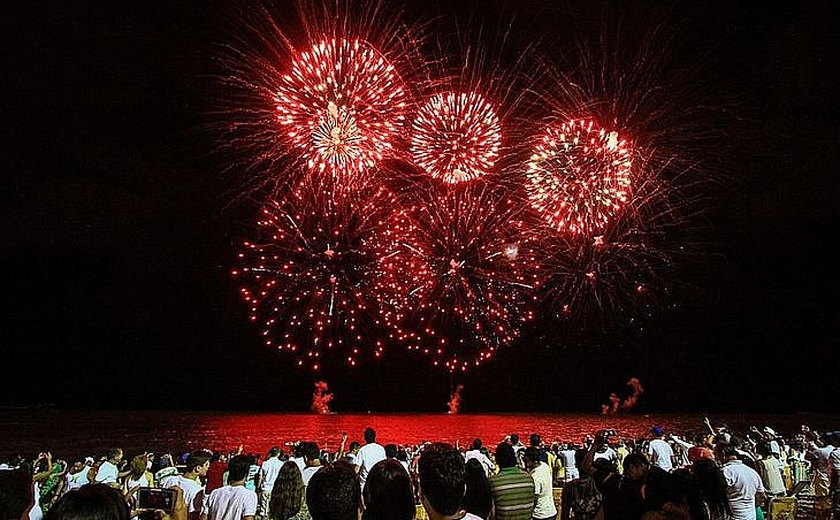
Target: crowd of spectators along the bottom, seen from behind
713,474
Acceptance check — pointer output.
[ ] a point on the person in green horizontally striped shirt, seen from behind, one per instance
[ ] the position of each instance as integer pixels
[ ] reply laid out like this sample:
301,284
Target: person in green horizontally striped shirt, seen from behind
512,488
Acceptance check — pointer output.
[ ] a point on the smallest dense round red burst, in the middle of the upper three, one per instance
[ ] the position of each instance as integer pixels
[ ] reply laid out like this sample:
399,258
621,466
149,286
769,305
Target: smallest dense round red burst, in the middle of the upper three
456,137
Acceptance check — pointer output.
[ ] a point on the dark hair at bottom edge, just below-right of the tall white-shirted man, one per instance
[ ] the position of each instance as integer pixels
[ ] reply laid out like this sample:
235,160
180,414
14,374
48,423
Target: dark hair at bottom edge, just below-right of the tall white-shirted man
387,493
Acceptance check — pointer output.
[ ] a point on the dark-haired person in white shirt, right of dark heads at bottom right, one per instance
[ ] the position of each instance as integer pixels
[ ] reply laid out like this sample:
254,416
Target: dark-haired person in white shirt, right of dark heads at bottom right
745,490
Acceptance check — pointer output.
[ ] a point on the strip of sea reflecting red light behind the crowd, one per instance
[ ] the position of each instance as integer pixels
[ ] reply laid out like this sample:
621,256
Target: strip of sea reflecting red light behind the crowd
80,433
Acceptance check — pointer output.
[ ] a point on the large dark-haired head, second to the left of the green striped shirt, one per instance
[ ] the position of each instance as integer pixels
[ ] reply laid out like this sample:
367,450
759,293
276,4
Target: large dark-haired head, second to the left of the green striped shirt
441,470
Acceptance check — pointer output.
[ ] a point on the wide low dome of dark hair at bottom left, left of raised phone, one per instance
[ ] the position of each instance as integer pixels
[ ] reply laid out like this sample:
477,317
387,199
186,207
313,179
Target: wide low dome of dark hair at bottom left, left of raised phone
90,502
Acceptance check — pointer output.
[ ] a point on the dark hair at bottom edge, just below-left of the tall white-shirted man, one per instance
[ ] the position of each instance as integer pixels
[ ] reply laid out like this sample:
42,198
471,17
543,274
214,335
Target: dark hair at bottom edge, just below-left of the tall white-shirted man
333,493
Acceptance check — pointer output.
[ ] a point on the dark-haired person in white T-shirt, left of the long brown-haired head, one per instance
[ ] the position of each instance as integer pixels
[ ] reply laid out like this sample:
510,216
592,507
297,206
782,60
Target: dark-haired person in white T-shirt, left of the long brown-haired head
232,501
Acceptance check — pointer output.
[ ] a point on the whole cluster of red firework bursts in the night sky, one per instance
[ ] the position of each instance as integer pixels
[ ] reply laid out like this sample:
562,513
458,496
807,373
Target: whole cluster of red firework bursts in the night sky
486,213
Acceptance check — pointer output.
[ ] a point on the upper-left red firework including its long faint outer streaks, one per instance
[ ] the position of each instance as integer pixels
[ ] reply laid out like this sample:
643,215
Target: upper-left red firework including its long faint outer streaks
323,92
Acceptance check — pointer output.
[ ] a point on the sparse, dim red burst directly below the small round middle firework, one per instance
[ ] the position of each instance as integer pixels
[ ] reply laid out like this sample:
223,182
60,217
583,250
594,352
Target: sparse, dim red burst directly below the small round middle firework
476,287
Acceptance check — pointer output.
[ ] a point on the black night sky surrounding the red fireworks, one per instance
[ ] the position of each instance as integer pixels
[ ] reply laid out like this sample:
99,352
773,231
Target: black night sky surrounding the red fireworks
117,236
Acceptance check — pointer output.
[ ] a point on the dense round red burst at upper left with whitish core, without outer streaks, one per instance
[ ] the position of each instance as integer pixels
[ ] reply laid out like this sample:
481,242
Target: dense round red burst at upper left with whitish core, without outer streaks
341,105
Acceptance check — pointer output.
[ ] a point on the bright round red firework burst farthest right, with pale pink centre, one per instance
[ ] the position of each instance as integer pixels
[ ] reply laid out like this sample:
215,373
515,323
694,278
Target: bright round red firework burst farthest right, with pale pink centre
580,176
